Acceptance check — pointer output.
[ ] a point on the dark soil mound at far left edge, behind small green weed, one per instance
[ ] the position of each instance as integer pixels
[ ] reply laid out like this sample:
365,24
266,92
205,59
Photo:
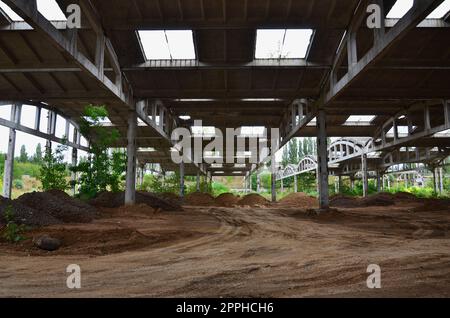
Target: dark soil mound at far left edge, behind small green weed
25,215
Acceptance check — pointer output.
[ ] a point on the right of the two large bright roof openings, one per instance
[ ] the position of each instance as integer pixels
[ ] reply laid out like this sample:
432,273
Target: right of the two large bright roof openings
282,43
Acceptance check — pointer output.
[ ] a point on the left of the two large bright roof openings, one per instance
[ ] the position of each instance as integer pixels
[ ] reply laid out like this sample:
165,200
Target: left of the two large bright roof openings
167,44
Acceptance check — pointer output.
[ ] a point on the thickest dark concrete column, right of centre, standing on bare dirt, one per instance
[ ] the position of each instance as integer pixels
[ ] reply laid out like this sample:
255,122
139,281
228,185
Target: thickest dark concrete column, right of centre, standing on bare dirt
322,160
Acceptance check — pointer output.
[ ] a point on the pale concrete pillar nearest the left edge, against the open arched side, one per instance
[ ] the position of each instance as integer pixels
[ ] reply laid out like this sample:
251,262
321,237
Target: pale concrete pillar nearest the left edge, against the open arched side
9,160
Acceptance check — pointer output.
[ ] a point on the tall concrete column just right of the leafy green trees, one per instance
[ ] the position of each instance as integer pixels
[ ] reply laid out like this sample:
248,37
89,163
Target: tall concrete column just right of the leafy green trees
130,190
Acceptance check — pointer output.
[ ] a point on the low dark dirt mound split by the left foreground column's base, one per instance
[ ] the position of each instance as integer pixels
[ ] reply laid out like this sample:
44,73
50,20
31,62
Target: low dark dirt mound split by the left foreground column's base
117,199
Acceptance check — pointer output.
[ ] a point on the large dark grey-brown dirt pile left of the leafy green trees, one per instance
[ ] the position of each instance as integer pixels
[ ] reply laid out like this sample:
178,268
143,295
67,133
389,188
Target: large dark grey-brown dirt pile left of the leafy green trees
59,205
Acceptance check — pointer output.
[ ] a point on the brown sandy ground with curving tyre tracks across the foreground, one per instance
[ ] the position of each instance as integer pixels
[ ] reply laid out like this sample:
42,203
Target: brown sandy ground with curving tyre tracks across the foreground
245,252
